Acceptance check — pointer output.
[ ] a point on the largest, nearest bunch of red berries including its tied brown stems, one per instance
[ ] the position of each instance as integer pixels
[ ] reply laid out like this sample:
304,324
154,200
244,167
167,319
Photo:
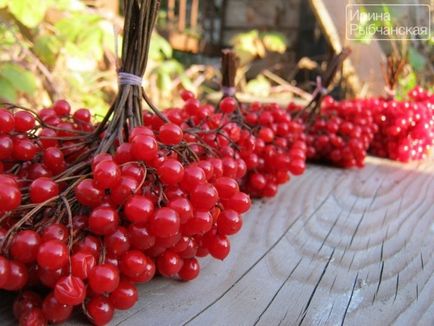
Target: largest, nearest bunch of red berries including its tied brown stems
88,210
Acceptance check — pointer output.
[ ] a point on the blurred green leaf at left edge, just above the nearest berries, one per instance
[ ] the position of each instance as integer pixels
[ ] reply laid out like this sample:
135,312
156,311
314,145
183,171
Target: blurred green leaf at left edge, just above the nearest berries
21,79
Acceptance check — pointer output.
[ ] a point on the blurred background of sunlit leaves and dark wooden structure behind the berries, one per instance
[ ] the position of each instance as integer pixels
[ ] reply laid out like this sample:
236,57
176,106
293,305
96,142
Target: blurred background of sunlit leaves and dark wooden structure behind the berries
51,49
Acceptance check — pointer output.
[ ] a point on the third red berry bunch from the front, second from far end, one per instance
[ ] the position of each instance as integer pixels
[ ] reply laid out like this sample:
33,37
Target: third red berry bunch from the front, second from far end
340,134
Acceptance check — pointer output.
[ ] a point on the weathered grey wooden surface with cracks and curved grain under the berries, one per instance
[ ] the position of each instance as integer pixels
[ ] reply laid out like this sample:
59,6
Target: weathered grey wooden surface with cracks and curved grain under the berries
334,247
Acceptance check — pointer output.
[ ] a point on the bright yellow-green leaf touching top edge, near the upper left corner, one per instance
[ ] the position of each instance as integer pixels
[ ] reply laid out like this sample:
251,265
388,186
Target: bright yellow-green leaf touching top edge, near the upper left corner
28,12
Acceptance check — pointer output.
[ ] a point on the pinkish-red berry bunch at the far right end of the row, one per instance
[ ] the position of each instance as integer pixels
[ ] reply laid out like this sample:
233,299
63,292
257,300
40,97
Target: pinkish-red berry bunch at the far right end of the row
405,128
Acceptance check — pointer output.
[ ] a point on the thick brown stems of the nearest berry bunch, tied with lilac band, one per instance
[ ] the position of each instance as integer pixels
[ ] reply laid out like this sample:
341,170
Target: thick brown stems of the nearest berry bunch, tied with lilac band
126,111
